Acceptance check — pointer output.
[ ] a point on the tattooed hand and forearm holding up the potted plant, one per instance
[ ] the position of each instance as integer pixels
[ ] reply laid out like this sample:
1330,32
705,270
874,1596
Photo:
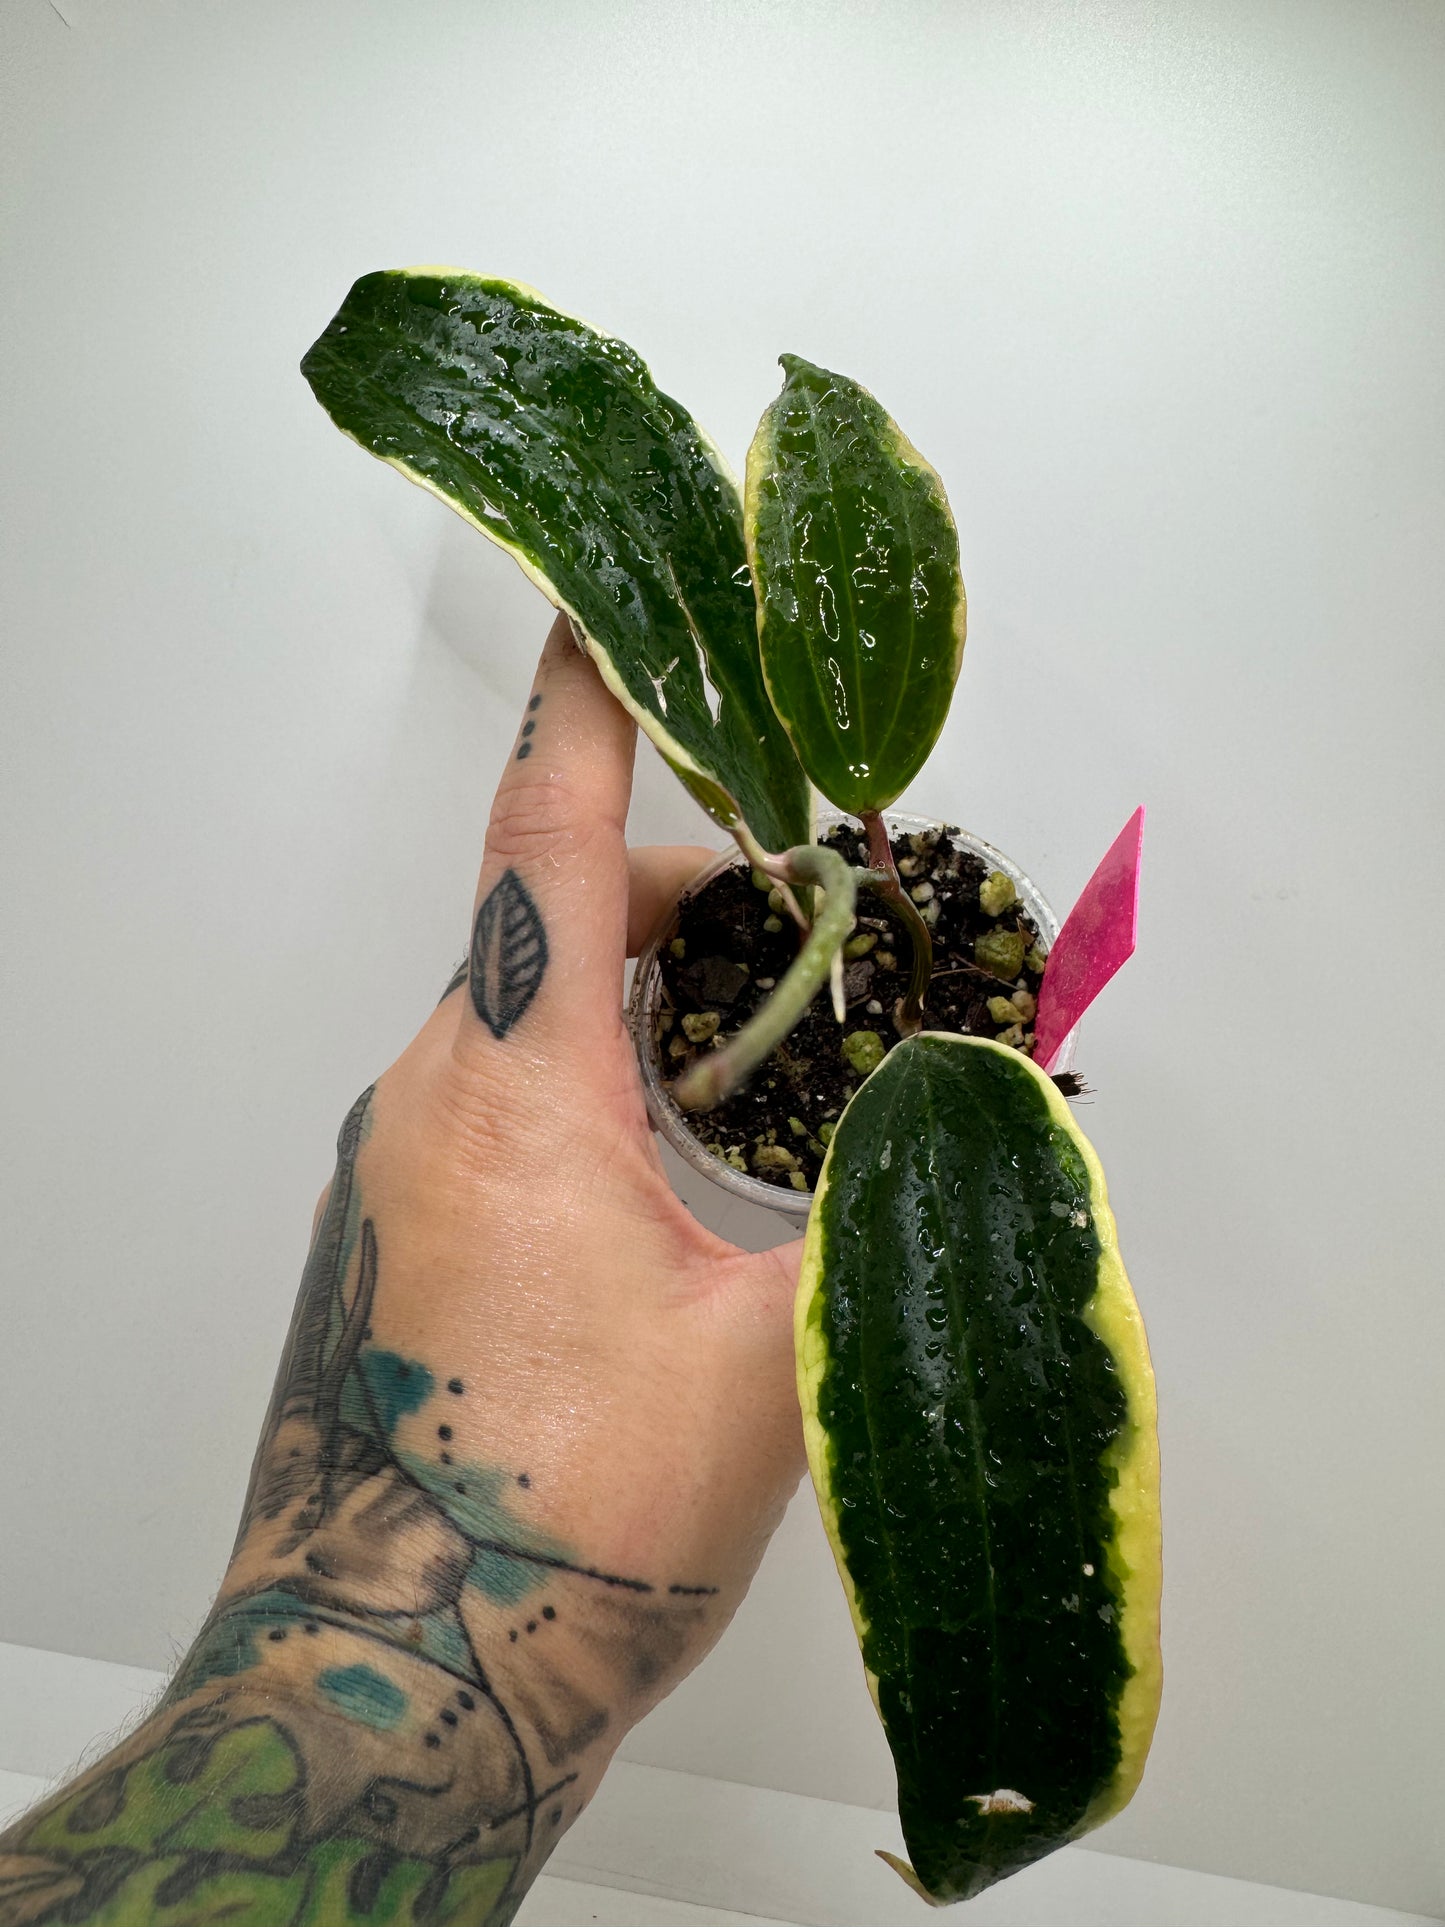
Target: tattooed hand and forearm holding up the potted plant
533,1427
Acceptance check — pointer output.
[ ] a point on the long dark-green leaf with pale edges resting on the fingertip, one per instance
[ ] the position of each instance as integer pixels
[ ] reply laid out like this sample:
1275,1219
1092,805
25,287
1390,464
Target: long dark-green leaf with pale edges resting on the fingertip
556,442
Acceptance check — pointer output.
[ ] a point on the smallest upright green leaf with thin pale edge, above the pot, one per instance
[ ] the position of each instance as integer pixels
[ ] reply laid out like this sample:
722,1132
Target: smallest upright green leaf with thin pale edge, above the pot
862,610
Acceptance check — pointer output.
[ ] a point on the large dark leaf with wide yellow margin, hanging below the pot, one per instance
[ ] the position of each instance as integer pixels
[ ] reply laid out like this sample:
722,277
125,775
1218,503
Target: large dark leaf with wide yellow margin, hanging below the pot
980,1415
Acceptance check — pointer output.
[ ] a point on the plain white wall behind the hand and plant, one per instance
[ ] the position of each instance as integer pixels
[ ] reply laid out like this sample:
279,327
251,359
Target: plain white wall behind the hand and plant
1161,294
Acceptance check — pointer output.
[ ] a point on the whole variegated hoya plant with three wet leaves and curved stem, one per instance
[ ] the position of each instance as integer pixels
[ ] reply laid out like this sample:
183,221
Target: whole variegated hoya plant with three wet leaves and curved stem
972,1367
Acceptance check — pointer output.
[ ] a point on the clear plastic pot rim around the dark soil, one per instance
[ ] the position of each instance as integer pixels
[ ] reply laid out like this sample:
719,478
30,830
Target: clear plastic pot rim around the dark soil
646,999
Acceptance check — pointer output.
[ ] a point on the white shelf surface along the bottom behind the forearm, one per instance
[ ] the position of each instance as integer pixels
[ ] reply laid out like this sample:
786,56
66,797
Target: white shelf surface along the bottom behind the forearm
679,1851
